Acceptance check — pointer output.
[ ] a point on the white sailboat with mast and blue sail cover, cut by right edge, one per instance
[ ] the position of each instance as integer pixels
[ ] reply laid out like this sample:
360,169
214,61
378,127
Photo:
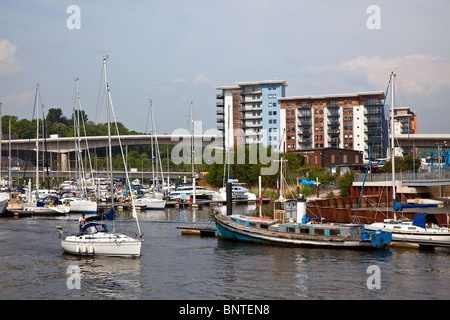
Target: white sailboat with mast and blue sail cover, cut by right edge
424,231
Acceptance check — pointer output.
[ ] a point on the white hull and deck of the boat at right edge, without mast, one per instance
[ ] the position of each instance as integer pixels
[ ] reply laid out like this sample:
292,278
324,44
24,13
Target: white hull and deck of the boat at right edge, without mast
423,231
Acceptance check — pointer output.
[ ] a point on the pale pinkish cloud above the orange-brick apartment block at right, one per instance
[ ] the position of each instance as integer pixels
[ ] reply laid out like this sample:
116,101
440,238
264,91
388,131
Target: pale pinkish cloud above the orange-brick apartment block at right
416,73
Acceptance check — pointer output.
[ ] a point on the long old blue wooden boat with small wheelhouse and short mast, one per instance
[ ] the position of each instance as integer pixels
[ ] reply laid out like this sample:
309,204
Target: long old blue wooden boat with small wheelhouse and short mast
291,226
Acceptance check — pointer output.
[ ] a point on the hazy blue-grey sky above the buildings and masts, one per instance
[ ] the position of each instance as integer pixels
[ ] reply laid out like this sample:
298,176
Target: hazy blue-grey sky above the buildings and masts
176,52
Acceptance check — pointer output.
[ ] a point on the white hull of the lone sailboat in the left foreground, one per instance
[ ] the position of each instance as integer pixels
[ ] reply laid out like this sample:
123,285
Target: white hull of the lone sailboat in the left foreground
110,245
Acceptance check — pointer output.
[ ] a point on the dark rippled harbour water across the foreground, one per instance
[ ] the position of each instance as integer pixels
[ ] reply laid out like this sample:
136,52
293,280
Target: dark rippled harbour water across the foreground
178,267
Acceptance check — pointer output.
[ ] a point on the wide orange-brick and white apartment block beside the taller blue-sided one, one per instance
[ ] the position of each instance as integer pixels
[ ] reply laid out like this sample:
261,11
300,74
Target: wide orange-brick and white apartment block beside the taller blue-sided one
346,121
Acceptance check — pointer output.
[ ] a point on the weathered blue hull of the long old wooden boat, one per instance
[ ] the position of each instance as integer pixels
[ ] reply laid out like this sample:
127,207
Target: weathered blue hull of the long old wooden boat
233,231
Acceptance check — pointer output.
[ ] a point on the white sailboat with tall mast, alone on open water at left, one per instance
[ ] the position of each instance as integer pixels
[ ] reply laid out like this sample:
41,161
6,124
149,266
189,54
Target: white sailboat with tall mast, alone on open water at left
97,238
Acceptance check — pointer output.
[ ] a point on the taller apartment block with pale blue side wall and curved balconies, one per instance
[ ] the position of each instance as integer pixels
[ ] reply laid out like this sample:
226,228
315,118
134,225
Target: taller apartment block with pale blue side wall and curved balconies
258,109
